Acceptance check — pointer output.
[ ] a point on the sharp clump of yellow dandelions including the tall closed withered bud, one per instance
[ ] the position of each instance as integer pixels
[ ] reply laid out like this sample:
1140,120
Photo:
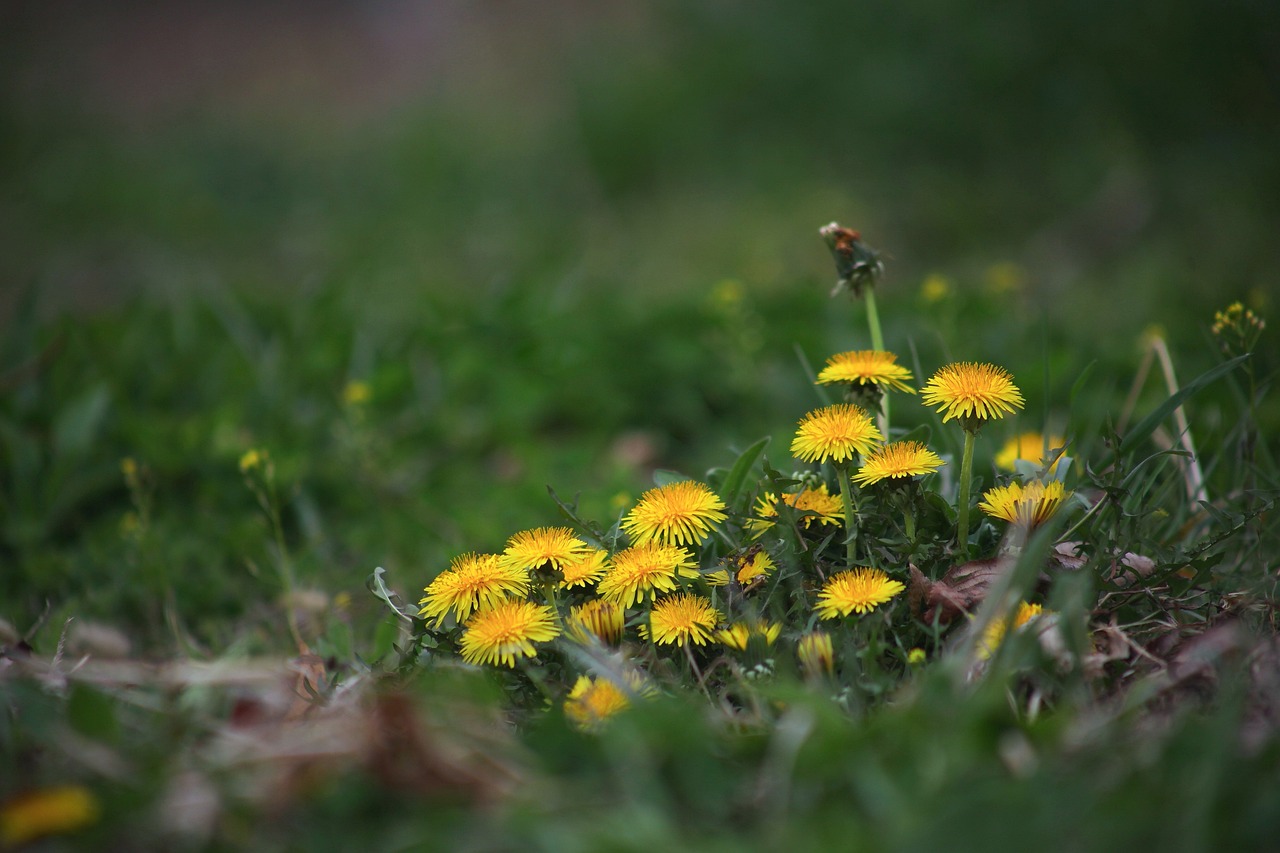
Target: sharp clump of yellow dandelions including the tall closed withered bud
688,587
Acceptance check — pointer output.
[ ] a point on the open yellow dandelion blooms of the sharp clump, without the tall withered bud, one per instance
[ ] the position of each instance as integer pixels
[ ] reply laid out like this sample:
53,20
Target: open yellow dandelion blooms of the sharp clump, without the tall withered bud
684,581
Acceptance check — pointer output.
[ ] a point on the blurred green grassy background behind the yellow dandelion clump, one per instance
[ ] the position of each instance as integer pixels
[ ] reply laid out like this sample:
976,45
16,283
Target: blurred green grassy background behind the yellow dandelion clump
563,245
